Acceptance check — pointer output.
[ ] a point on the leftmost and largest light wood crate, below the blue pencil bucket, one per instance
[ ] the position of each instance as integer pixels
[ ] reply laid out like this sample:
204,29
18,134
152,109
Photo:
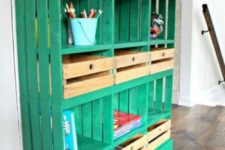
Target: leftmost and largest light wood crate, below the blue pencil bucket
86,73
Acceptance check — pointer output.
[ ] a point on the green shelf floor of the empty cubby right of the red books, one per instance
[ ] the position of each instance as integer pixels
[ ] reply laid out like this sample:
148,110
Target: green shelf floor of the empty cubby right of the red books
157,116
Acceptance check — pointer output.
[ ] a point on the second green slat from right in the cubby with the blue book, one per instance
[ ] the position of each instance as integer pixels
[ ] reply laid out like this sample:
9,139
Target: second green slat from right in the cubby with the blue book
97,120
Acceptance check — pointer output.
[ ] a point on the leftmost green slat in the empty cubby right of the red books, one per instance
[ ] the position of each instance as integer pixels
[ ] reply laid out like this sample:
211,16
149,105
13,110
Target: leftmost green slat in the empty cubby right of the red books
151,103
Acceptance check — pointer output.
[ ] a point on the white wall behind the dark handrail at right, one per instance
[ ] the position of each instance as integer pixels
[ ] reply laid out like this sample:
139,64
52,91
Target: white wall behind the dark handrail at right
199,67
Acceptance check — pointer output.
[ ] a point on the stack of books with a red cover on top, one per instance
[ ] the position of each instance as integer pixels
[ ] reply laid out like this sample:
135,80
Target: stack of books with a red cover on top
125,123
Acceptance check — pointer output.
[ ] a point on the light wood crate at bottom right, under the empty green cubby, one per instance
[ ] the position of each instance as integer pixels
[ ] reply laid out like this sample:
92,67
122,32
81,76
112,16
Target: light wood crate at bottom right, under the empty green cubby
157,129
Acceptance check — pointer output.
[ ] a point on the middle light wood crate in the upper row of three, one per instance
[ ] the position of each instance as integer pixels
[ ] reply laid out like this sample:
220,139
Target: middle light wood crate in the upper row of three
130,65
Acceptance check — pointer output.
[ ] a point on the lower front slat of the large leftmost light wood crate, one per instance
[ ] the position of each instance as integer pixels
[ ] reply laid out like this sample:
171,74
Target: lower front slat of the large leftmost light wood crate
86,84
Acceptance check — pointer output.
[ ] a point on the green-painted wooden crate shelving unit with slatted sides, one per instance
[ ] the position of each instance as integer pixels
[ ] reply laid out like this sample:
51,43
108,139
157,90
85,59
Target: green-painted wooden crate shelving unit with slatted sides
124,24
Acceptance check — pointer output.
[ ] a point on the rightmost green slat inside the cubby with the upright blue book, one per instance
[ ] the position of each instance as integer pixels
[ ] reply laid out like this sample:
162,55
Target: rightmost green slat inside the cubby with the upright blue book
107,119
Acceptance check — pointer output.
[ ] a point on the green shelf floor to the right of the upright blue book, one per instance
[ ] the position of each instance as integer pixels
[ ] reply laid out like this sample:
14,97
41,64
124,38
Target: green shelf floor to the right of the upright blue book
85,143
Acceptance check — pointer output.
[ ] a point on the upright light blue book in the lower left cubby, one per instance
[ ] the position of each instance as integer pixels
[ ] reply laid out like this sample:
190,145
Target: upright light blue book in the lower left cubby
69,128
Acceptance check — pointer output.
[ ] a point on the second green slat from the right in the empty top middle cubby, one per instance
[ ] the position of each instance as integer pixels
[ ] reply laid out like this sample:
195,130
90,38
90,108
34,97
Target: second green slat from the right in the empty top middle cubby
134,21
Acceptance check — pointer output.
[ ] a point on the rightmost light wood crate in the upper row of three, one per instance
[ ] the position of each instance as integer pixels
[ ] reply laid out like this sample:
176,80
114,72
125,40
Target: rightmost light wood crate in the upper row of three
161,60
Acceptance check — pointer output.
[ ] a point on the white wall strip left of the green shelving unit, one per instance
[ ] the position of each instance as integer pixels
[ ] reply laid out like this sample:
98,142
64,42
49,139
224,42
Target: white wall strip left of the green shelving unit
9,118
